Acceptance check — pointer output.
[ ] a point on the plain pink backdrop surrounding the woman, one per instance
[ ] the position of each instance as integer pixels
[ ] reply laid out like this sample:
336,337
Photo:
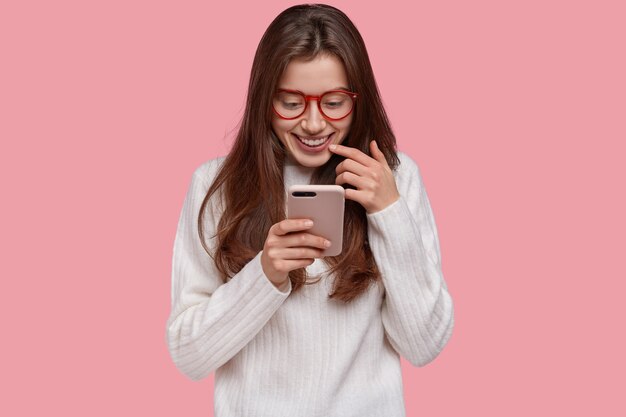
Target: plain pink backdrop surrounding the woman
515,112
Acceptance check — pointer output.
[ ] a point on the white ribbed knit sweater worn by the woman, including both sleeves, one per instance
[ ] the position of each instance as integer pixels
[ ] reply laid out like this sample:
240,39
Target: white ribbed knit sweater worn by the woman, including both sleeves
277,354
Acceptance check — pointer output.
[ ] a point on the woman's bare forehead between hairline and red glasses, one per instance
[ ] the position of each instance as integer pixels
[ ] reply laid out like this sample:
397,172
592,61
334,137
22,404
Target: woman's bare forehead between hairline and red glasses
325,72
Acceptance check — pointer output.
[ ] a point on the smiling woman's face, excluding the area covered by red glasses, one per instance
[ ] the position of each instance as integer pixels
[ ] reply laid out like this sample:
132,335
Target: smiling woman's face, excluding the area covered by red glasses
315,77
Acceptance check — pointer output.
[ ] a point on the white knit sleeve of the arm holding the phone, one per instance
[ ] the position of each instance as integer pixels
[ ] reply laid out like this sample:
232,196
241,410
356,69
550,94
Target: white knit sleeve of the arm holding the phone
211,321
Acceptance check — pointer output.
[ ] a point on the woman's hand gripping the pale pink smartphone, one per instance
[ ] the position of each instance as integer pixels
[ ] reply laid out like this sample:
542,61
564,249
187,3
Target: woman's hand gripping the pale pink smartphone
287,248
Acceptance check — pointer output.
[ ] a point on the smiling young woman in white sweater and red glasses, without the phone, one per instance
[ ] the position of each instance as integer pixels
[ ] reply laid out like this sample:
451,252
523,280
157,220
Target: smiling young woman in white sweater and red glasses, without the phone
287,332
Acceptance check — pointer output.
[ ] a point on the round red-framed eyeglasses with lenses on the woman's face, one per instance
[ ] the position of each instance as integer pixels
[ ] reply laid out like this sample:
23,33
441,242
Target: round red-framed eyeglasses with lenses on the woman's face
333,104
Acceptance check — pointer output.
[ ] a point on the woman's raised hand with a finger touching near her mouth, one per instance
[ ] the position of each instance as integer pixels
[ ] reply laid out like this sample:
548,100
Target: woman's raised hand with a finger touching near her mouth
376,186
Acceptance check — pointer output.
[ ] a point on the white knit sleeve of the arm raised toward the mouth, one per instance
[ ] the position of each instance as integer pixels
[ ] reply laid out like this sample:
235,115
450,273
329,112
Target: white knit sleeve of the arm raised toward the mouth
417,311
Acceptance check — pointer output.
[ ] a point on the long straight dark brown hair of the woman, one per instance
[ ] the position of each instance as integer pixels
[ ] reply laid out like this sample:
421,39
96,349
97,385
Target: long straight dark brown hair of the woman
251,176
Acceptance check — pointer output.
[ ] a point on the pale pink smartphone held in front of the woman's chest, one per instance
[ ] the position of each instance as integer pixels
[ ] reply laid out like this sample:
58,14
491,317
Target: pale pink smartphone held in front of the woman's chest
324,204
